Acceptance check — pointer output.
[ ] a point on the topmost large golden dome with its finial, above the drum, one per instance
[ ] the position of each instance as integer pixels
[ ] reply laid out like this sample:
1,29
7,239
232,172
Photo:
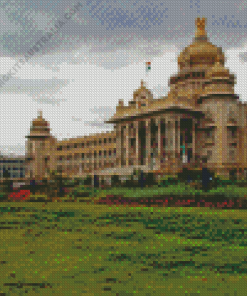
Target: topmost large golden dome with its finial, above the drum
201,49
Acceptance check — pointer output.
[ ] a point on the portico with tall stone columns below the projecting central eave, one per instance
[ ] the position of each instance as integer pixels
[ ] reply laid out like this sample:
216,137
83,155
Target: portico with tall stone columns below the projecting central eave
159,142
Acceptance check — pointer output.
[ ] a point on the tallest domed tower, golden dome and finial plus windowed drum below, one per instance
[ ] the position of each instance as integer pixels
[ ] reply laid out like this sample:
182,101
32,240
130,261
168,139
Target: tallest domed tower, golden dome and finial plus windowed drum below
194,62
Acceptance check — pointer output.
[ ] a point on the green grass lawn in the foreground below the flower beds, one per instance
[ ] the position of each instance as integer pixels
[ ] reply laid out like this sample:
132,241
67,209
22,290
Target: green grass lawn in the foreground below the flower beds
77,249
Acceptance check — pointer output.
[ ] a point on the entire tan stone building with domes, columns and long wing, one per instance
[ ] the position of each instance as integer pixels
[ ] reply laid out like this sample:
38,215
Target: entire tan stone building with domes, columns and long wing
201,122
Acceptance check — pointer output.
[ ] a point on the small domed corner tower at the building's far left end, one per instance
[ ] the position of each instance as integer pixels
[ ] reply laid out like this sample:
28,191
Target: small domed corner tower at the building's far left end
40,149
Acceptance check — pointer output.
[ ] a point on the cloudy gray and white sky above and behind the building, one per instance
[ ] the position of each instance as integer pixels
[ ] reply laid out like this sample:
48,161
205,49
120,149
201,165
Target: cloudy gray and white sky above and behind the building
89,54
